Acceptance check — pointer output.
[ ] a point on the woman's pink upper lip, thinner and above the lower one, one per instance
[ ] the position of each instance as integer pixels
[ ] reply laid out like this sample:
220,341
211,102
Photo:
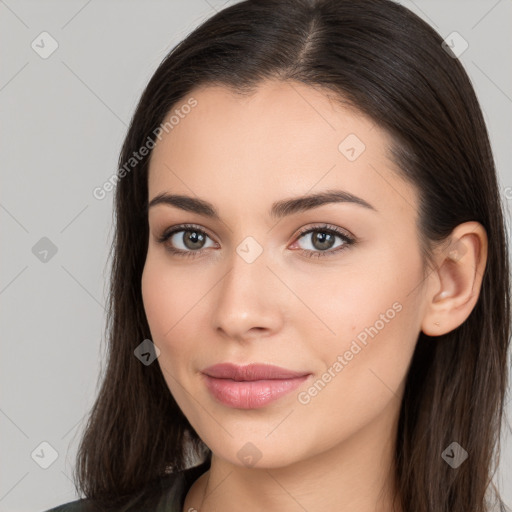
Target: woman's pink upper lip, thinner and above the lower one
254,371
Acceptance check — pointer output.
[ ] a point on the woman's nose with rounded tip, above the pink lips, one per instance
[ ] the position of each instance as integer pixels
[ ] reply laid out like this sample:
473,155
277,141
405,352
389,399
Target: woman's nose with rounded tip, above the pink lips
249,300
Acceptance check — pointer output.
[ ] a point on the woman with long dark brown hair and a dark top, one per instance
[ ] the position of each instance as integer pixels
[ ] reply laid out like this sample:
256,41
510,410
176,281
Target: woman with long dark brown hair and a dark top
310,282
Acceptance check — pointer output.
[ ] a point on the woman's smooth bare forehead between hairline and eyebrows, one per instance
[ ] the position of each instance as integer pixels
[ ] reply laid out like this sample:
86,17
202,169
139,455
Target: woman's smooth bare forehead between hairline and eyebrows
285,139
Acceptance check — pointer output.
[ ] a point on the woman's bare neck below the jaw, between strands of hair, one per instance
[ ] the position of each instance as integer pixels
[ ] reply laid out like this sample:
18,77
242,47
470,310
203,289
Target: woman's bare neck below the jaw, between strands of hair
356,474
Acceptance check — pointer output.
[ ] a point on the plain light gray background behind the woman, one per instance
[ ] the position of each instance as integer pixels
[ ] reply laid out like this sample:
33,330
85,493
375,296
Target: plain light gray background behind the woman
63,121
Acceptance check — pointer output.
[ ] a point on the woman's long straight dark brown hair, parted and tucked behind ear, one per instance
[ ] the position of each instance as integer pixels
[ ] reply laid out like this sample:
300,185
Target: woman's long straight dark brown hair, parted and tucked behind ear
389,64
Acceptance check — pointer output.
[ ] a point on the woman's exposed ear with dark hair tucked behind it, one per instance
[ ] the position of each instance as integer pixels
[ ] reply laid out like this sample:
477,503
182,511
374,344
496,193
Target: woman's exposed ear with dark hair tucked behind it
455,283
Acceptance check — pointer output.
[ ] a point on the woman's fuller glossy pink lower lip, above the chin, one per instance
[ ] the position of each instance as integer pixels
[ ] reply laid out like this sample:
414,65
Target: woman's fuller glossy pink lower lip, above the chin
251,394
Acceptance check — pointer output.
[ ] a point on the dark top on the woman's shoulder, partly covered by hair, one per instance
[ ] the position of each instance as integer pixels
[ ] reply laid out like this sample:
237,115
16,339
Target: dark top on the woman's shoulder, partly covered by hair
172,490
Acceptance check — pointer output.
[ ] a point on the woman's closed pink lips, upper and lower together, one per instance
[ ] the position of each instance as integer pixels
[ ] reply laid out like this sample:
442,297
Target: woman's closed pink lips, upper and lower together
252,386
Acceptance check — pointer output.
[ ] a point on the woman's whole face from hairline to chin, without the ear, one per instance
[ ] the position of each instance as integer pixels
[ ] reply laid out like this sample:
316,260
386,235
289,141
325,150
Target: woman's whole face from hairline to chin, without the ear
331,290
